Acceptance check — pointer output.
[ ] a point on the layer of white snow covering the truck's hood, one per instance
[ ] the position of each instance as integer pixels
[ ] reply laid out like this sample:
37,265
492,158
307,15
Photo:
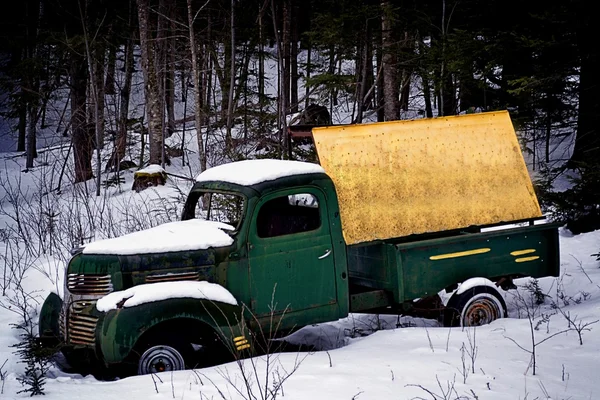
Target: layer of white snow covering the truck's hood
192,234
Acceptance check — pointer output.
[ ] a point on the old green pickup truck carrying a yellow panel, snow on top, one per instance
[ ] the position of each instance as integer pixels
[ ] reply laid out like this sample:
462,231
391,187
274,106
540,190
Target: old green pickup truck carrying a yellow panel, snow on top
394,215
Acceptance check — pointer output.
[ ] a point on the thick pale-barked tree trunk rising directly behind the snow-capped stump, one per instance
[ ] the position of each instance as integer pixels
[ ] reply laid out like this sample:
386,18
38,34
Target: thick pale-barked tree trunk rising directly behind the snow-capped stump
151,84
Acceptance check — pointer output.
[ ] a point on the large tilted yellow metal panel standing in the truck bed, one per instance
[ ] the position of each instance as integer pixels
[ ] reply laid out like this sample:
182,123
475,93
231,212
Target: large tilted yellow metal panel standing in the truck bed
409,177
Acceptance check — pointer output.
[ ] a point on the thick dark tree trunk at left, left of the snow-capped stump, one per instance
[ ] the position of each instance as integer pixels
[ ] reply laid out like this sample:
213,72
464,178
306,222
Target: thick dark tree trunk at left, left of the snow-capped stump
82,140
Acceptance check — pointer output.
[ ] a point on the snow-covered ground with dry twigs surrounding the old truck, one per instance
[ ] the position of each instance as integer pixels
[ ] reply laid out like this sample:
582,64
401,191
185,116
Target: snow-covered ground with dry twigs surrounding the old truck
360,357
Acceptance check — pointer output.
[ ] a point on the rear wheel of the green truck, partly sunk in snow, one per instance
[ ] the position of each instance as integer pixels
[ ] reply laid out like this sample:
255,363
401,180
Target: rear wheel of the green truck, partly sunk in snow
477,306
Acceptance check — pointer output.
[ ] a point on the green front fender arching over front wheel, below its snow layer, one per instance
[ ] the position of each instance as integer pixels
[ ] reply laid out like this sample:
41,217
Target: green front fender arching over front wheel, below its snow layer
121,329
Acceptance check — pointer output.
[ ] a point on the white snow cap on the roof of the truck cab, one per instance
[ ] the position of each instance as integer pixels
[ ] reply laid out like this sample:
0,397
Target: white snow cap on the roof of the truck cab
251,172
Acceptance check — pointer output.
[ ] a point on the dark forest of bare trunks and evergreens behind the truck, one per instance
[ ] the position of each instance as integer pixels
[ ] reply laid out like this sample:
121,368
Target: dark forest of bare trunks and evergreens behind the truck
69,67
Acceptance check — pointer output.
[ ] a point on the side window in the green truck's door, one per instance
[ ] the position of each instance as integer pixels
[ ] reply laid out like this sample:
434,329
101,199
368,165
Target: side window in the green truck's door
286,215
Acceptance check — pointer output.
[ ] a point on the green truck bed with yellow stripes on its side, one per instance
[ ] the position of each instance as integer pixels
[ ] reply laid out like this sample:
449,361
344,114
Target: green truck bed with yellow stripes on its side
414,269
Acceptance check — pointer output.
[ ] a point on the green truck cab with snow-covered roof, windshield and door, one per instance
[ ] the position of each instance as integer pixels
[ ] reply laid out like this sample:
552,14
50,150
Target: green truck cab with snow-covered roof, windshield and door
289,256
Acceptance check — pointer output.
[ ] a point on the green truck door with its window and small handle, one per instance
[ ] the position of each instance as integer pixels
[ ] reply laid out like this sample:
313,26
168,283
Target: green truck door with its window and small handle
292,268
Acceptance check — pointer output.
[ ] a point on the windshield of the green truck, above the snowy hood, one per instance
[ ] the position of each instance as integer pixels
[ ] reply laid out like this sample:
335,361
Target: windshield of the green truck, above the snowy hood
227,208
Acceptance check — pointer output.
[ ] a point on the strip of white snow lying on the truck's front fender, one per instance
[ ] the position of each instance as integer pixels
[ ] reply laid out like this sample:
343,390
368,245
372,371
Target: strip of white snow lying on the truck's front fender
152,292
